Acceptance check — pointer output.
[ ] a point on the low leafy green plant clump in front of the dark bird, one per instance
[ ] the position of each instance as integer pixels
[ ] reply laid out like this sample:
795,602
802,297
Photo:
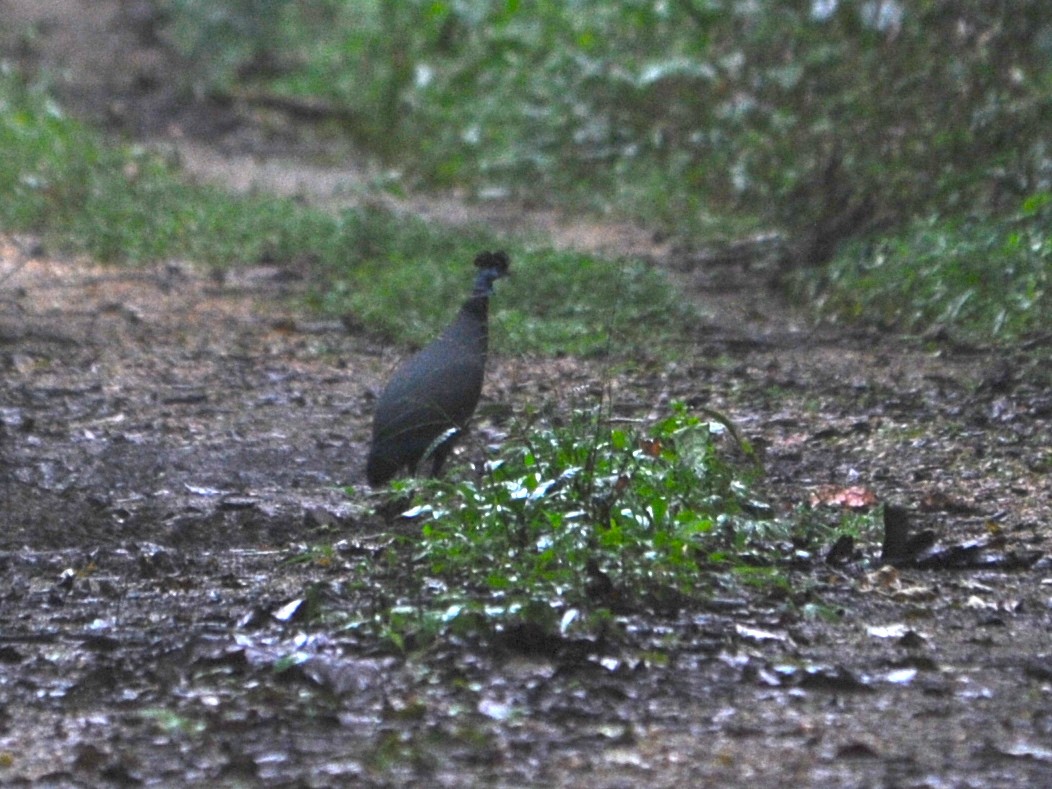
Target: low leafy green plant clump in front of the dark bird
574,529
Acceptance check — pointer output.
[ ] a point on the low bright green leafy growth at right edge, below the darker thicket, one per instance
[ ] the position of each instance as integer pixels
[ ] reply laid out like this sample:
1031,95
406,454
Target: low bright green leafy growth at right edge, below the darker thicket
982,279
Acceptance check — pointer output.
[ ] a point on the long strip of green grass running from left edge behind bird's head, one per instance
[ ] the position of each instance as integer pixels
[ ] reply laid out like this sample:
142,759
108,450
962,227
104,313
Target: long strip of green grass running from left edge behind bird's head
397,276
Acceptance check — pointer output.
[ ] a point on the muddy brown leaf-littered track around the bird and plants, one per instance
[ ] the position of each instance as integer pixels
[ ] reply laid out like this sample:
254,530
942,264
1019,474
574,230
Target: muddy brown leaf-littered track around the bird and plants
169,438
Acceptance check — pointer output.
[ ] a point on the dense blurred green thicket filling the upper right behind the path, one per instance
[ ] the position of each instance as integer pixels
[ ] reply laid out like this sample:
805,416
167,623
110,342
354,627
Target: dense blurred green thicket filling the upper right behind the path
710,120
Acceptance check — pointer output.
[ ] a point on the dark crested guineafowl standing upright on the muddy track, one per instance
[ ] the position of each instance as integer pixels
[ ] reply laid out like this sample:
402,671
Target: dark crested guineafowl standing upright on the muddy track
434,394
